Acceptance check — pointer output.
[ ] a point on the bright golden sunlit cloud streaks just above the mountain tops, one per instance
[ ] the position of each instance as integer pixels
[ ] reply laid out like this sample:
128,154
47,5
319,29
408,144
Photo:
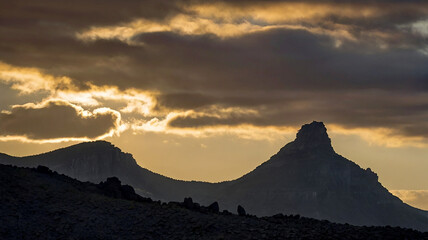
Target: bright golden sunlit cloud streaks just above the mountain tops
143,103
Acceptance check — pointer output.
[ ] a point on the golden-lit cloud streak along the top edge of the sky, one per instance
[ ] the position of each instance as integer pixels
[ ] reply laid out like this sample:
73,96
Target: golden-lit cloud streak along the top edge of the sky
226,20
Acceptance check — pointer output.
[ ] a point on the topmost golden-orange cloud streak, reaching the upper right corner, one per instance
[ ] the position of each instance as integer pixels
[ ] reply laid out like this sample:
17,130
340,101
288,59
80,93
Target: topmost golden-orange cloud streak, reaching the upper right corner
352,22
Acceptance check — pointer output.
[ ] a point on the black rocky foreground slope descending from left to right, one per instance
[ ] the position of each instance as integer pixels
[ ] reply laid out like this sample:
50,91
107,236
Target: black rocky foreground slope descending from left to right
41,204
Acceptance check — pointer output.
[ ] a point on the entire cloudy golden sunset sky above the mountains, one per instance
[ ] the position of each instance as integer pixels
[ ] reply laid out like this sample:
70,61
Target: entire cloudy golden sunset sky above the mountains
208,90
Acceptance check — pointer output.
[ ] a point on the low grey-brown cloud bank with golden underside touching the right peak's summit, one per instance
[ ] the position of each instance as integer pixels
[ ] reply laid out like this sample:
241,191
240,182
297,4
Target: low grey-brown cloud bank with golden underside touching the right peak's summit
379,117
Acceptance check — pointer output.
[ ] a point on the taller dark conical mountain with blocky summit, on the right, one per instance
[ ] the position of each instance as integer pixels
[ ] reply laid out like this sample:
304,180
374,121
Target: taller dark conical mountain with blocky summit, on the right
307,177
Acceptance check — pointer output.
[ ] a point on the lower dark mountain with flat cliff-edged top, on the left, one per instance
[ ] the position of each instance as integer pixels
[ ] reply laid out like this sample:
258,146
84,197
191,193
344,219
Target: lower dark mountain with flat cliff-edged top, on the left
96,161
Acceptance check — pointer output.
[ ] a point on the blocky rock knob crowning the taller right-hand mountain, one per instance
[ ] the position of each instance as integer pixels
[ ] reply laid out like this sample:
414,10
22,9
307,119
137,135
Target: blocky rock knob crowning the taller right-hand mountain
313,136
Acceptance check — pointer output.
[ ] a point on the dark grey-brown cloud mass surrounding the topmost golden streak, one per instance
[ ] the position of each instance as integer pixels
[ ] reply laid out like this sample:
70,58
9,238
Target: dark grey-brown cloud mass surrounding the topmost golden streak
267,60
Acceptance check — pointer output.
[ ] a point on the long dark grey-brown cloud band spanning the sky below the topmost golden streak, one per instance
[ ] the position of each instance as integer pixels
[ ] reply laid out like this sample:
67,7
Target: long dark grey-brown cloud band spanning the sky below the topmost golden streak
277,59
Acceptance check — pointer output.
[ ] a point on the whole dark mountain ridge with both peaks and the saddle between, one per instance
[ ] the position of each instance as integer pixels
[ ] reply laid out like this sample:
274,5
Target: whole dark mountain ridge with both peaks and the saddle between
305,177
